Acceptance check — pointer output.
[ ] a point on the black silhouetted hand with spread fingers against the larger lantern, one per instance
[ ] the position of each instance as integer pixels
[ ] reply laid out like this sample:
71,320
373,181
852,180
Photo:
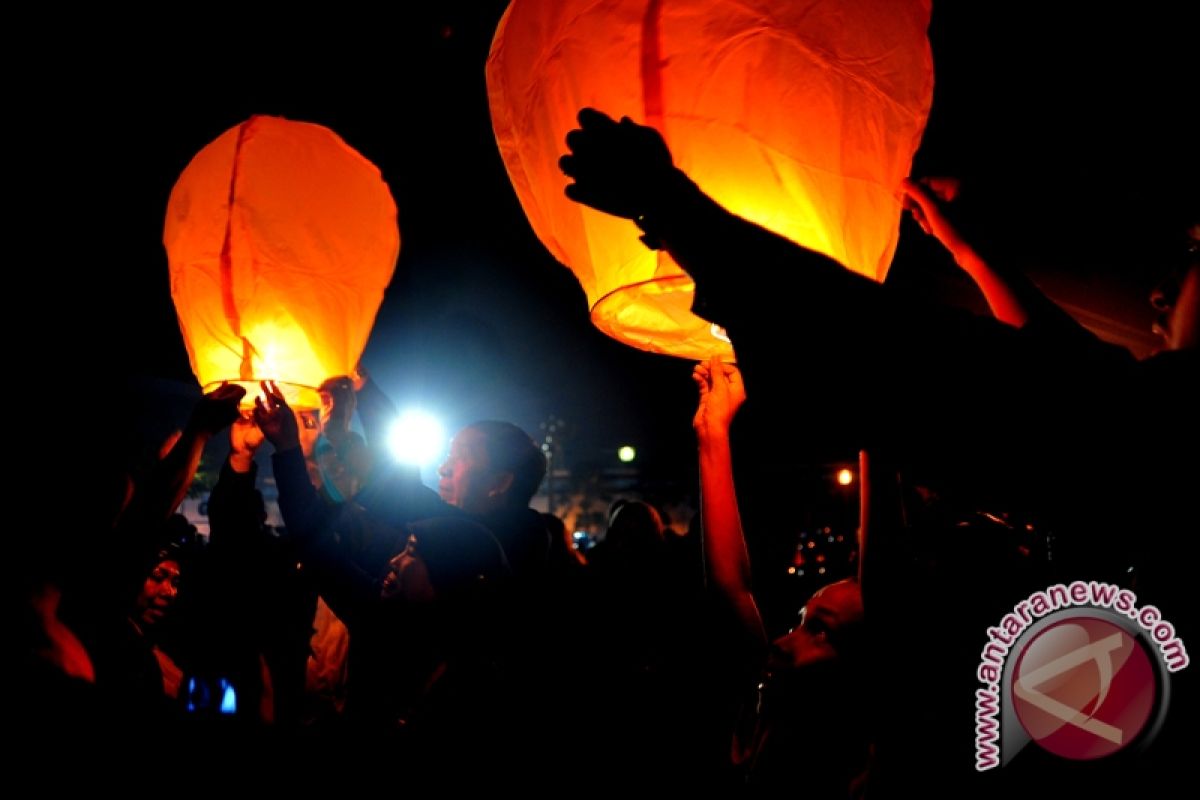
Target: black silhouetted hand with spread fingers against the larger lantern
620,169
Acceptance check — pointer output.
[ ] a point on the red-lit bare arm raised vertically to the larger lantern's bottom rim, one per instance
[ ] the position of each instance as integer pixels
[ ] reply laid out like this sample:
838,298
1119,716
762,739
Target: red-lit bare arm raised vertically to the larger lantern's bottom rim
725,550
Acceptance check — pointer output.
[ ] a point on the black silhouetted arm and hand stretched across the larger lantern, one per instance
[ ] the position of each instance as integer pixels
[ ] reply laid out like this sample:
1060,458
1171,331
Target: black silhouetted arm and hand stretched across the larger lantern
860,335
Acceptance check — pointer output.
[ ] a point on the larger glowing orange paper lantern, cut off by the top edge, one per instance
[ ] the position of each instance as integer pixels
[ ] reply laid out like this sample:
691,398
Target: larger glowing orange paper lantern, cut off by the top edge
802,117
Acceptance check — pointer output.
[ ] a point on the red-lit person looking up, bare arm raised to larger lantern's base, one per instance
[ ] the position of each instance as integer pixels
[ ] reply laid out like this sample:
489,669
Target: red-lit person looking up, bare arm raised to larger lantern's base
806,724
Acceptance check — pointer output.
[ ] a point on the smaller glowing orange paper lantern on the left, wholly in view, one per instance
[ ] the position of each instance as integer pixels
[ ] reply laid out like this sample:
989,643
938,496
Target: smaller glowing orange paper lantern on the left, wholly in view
281,240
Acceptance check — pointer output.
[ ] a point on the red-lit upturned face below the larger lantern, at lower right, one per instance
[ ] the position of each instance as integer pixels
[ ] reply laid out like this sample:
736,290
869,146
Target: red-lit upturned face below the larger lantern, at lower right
825,618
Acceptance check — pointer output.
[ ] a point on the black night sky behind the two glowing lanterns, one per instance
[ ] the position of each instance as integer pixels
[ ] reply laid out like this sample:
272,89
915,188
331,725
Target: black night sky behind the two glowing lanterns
1070,133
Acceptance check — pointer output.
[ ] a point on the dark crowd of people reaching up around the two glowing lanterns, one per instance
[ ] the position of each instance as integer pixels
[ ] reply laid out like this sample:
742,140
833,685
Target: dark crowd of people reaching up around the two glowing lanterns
451,629
